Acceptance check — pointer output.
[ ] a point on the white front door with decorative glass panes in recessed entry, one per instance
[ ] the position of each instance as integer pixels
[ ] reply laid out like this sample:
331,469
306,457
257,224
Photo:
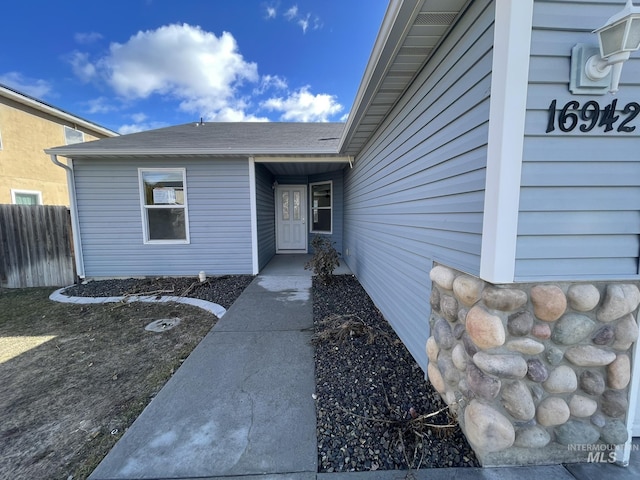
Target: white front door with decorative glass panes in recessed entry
291,210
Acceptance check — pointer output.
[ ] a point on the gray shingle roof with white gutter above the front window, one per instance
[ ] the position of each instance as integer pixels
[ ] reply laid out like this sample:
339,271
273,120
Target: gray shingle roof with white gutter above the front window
216,138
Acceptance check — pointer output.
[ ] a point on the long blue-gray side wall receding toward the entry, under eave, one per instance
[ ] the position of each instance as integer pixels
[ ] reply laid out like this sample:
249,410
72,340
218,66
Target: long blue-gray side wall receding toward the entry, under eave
416,193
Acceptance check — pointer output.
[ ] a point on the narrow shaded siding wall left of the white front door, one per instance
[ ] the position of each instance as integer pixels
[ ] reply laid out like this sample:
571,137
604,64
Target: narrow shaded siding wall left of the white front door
265,210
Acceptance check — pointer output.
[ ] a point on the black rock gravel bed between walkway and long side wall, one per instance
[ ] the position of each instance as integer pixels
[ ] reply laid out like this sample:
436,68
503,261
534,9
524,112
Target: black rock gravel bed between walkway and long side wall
371,394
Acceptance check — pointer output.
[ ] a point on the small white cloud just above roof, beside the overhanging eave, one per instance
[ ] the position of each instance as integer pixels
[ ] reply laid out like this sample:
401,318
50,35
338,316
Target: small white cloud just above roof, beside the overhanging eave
303,106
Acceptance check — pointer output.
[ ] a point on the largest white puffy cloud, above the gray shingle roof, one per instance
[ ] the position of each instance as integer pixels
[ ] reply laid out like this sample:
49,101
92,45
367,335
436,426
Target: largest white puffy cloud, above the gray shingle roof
198,68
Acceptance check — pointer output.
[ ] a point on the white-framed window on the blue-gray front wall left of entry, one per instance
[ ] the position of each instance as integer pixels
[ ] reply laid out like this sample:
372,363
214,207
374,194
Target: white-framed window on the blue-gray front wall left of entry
164,205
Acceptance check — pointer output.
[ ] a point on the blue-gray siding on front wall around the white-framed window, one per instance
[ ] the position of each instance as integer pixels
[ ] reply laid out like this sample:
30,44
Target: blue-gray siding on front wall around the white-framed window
111,221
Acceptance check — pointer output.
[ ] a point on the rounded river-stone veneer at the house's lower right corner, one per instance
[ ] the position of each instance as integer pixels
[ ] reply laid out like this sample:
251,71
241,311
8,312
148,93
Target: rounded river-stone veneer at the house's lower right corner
536,373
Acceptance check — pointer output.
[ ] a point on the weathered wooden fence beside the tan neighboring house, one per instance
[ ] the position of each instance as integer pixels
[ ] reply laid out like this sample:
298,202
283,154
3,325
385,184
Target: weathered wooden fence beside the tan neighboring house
36,247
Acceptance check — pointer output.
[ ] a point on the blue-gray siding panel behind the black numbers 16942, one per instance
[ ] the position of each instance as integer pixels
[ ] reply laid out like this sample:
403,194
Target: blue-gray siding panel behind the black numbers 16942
580,195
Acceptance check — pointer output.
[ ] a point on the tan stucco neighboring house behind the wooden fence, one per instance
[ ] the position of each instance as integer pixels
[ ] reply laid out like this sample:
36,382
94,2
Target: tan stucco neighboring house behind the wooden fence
27,126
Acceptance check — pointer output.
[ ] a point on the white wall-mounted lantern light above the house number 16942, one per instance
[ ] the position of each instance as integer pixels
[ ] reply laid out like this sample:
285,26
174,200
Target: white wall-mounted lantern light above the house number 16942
595,71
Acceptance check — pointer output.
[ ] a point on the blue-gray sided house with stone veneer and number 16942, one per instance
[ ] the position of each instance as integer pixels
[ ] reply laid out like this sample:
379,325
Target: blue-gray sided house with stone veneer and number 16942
483,191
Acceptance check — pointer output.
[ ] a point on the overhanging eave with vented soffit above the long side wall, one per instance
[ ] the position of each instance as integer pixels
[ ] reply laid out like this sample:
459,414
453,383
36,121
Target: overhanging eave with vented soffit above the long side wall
411,31
